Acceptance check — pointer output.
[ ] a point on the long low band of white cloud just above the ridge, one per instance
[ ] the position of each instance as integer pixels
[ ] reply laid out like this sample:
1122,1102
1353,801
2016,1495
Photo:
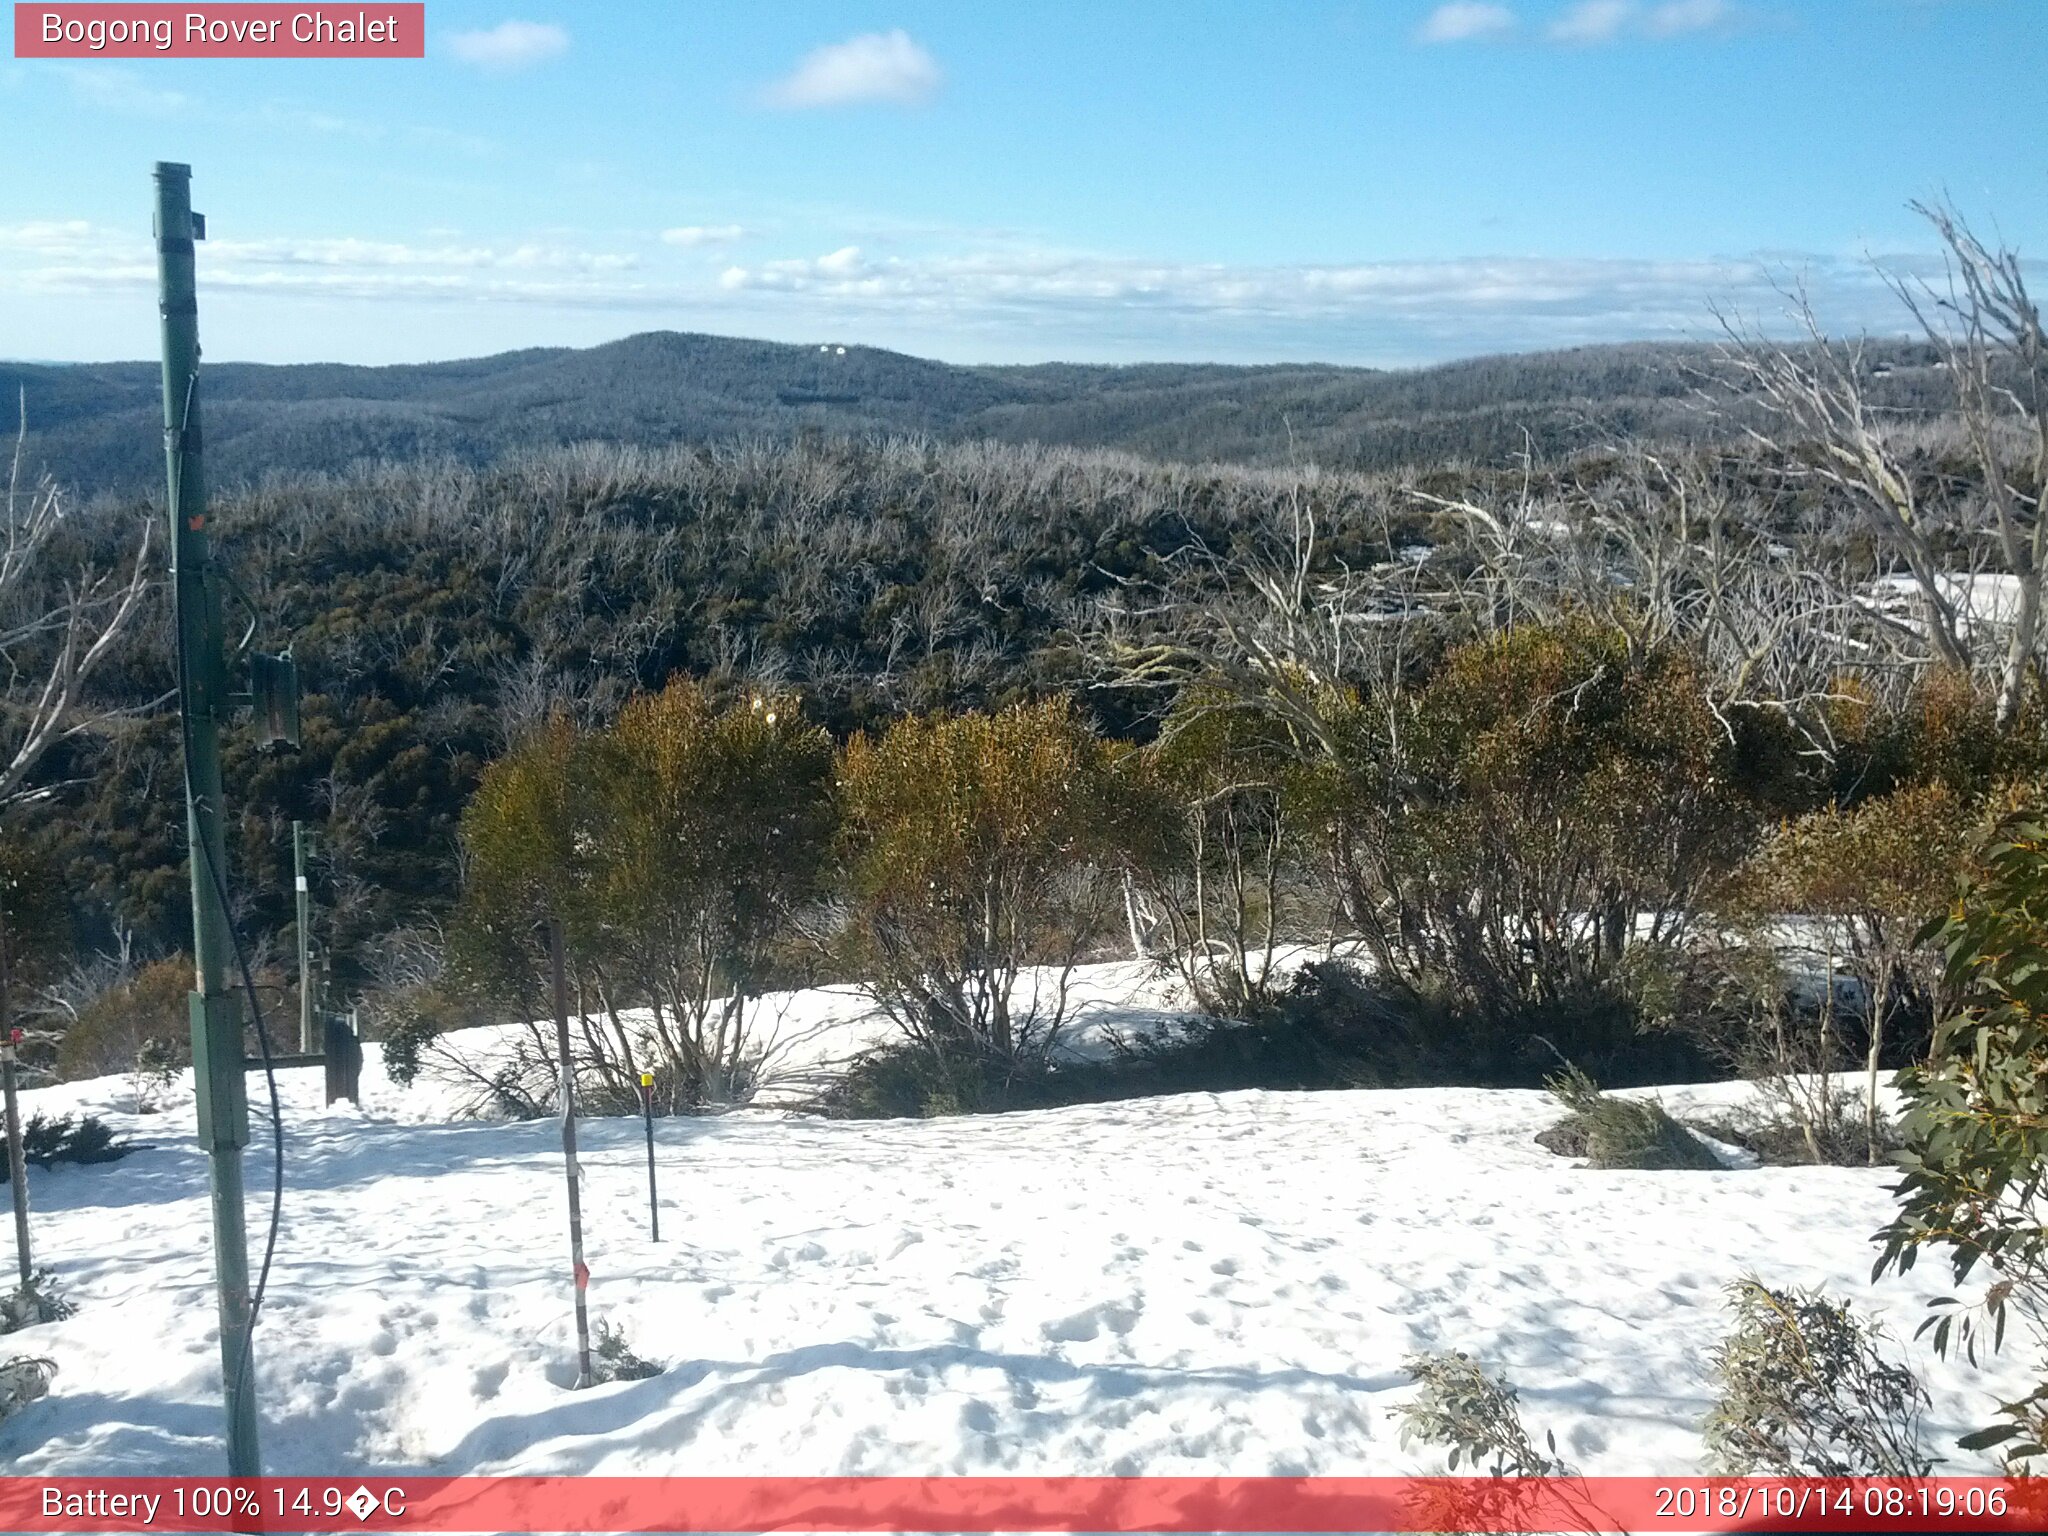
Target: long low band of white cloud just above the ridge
1007,298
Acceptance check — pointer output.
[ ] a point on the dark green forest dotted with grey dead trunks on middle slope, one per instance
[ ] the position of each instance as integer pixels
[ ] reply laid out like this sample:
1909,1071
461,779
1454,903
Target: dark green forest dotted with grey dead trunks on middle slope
437,611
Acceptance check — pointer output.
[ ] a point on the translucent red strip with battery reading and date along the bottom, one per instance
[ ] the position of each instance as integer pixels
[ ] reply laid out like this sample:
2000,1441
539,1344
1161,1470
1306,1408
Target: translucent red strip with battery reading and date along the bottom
1019,1504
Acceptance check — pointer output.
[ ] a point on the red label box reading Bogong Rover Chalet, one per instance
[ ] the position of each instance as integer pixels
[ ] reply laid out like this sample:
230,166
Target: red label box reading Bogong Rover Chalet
220,32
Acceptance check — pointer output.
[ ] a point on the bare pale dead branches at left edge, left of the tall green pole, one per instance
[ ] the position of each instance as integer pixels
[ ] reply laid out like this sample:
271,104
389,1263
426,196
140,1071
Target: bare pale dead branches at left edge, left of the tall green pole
56,630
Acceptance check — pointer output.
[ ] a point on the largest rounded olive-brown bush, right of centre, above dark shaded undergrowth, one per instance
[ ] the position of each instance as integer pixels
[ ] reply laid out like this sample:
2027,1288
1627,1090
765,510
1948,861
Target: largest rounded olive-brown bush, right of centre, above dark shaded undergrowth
1527,824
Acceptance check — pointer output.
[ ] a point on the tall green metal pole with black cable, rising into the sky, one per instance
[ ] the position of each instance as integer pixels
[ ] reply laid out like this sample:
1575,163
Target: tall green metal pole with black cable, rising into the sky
218,1064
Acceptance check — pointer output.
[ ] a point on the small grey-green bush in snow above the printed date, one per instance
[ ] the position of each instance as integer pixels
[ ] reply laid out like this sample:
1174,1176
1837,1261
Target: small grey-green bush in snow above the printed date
1805,1392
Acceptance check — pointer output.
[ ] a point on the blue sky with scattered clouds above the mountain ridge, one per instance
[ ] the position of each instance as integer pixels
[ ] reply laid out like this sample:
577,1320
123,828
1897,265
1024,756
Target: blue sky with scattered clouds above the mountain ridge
1365,181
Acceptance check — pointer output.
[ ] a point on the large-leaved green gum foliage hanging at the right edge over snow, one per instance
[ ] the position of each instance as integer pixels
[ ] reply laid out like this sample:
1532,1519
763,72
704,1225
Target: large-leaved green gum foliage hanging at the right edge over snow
1977,1123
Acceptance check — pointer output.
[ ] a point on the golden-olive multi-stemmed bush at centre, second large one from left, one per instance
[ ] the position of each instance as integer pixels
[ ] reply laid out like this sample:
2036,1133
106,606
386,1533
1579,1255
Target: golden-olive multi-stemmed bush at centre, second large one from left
978,847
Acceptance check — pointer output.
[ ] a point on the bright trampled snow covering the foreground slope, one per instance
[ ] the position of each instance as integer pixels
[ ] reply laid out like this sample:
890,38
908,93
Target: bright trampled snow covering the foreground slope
1179,1285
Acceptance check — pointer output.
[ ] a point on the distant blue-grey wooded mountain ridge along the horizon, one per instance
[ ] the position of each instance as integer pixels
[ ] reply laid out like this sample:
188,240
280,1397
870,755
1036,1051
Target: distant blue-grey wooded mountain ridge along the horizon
99,427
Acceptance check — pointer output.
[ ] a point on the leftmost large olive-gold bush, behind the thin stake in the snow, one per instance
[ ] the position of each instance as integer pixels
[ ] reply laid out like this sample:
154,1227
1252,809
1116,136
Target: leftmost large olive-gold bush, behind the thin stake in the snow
673,851
